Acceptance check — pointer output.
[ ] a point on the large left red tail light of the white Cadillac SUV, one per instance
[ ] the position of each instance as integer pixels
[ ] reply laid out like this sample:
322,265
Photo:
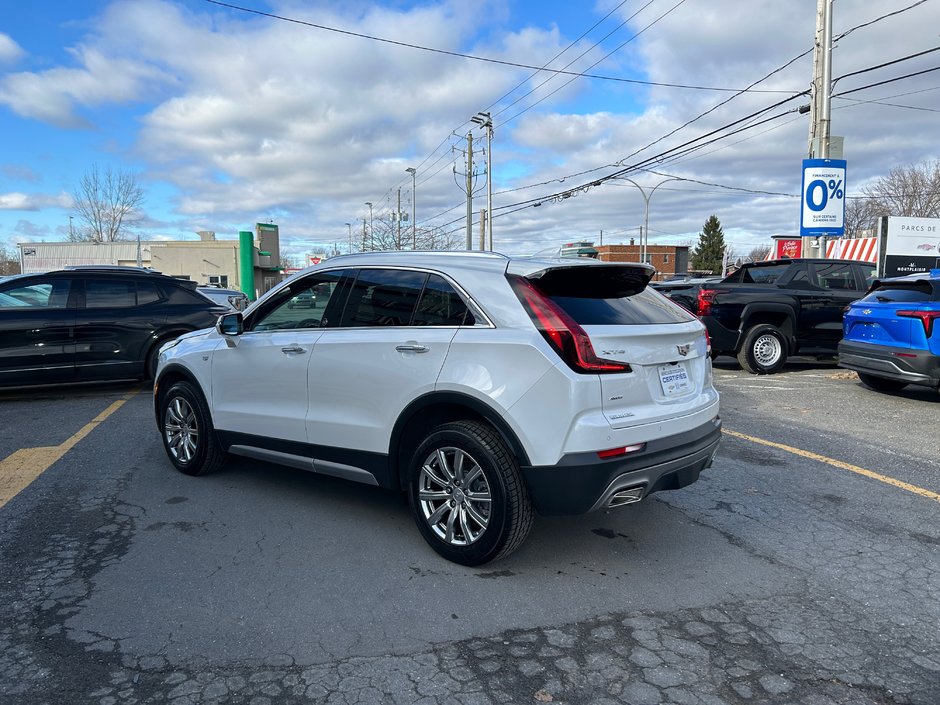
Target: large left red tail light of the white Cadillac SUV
561,331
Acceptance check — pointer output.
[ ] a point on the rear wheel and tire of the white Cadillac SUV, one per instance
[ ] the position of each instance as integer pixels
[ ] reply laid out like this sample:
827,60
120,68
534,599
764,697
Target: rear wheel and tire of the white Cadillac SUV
467,494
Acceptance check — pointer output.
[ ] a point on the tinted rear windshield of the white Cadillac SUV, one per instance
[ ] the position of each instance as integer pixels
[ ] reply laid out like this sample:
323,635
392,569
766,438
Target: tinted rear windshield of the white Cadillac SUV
642,308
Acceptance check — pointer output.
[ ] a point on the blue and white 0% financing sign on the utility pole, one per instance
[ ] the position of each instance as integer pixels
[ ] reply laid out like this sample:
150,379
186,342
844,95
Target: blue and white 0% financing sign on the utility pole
823,198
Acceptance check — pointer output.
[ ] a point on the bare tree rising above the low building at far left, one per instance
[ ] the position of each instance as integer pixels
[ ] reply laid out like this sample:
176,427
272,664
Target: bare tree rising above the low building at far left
104,200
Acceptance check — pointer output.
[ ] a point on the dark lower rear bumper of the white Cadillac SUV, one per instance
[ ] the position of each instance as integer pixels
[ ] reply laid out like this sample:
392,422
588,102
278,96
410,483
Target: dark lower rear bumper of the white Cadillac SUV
582,482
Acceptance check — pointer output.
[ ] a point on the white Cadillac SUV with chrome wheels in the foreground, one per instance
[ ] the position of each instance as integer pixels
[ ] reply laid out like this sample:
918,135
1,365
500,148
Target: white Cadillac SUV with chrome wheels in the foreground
483,386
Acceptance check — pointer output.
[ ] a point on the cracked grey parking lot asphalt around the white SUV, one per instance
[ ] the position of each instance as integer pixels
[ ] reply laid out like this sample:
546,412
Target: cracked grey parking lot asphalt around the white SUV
783,576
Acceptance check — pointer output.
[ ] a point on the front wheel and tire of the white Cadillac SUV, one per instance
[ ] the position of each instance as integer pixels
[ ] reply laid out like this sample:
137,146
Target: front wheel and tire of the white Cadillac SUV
188,435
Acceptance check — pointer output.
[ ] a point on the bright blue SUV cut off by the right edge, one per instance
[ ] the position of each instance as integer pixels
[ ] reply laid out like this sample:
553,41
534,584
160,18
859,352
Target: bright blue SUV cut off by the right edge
891,337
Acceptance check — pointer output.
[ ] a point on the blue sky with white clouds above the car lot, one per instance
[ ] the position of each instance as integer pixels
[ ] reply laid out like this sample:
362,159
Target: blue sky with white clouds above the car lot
299,112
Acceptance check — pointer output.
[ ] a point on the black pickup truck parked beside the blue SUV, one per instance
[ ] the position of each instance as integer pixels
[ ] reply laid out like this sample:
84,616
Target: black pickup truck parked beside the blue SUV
766,311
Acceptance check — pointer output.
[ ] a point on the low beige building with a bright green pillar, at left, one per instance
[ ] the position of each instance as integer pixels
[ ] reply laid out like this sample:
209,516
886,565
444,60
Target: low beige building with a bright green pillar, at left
206,261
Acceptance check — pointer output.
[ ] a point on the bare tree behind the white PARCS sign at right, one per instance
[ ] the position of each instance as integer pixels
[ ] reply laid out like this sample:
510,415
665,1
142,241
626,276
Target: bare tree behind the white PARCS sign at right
912,191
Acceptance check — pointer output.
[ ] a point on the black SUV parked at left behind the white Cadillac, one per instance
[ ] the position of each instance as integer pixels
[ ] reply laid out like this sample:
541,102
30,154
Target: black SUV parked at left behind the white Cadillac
93,323
